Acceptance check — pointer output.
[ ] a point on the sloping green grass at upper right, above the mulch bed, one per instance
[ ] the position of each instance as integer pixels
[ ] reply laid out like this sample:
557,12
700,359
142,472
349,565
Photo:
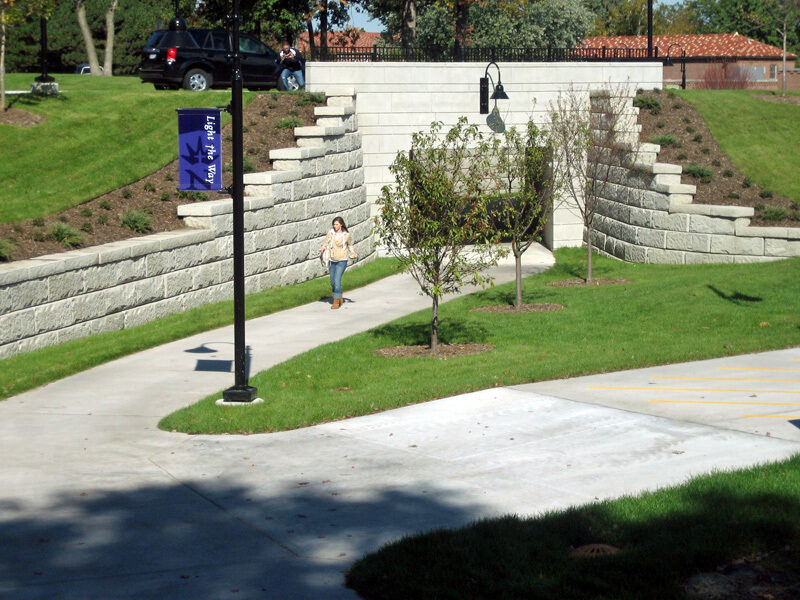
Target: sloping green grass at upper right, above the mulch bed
759,136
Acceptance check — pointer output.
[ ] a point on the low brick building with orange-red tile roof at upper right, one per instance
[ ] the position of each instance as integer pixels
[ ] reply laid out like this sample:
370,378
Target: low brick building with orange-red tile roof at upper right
712,60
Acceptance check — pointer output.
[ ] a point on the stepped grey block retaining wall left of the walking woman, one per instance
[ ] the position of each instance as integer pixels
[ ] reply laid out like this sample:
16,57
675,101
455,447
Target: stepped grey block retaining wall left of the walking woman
61,297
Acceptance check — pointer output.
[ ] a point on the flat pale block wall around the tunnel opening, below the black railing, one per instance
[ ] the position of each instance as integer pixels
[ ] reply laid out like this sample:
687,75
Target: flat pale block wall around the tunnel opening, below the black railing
396,100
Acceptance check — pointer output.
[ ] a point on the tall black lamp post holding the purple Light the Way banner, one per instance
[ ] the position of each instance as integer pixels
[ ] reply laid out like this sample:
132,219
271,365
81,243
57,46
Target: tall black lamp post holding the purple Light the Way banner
241,391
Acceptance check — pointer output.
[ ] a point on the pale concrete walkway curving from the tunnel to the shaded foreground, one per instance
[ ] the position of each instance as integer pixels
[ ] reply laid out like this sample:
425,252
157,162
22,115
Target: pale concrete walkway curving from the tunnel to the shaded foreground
98,503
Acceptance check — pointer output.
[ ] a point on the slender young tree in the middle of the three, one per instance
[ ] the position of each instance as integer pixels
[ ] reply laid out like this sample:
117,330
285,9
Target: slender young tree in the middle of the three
525,188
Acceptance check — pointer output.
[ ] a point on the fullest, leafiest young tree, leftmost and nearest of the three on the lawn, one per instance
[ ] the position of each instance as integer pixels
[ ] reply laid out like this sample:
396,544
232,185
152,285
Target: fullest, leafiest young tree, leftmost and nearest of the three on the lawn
435,219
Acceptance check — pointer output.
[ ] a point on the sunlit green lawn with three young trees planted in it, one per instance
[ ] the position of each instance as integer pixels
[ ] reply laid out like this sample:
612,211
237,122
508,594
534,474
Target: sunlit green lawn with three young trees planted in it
666,314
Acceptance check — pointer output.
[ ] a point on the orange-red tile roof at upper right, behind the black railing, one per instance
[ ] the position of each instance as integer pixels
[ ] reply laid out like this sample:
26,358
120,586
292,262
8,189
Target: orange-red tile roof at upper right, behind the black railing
707,45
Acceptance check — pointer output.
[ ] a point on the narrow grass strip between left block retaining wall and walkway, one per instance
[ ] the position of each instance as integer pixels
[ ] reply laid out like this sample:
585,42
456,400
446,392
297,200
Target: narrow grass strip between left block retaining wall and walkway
26,371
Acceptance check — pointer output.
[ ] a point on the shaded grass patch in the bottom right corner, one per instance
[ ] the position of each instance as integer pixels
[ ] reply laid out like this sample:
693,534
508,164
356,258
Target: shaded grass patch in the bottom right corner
664,537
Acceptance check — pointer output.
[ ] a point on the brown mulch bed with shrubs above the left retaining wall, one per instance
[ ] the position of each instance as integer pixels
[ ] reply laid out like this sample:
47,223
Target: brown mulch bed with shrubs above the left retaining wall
98,220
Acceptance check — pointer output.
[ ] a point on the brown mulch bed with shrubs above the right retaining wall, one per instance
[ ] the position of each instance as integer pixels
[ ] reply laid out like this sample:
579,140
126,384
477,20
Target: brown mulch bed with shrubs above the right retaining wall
727,187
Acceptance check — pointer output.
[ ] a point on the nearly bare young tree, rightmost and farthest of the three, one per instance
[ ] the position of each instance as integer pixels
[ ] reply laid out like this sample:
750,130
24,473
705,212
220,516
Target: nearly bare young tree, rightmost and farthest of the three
588,146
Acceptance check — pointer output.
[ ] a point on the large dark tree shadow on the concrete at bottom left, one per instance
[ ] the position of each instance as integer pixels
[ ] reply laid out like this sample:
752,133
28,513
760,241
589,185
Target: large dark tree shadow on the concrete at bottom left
204,540
